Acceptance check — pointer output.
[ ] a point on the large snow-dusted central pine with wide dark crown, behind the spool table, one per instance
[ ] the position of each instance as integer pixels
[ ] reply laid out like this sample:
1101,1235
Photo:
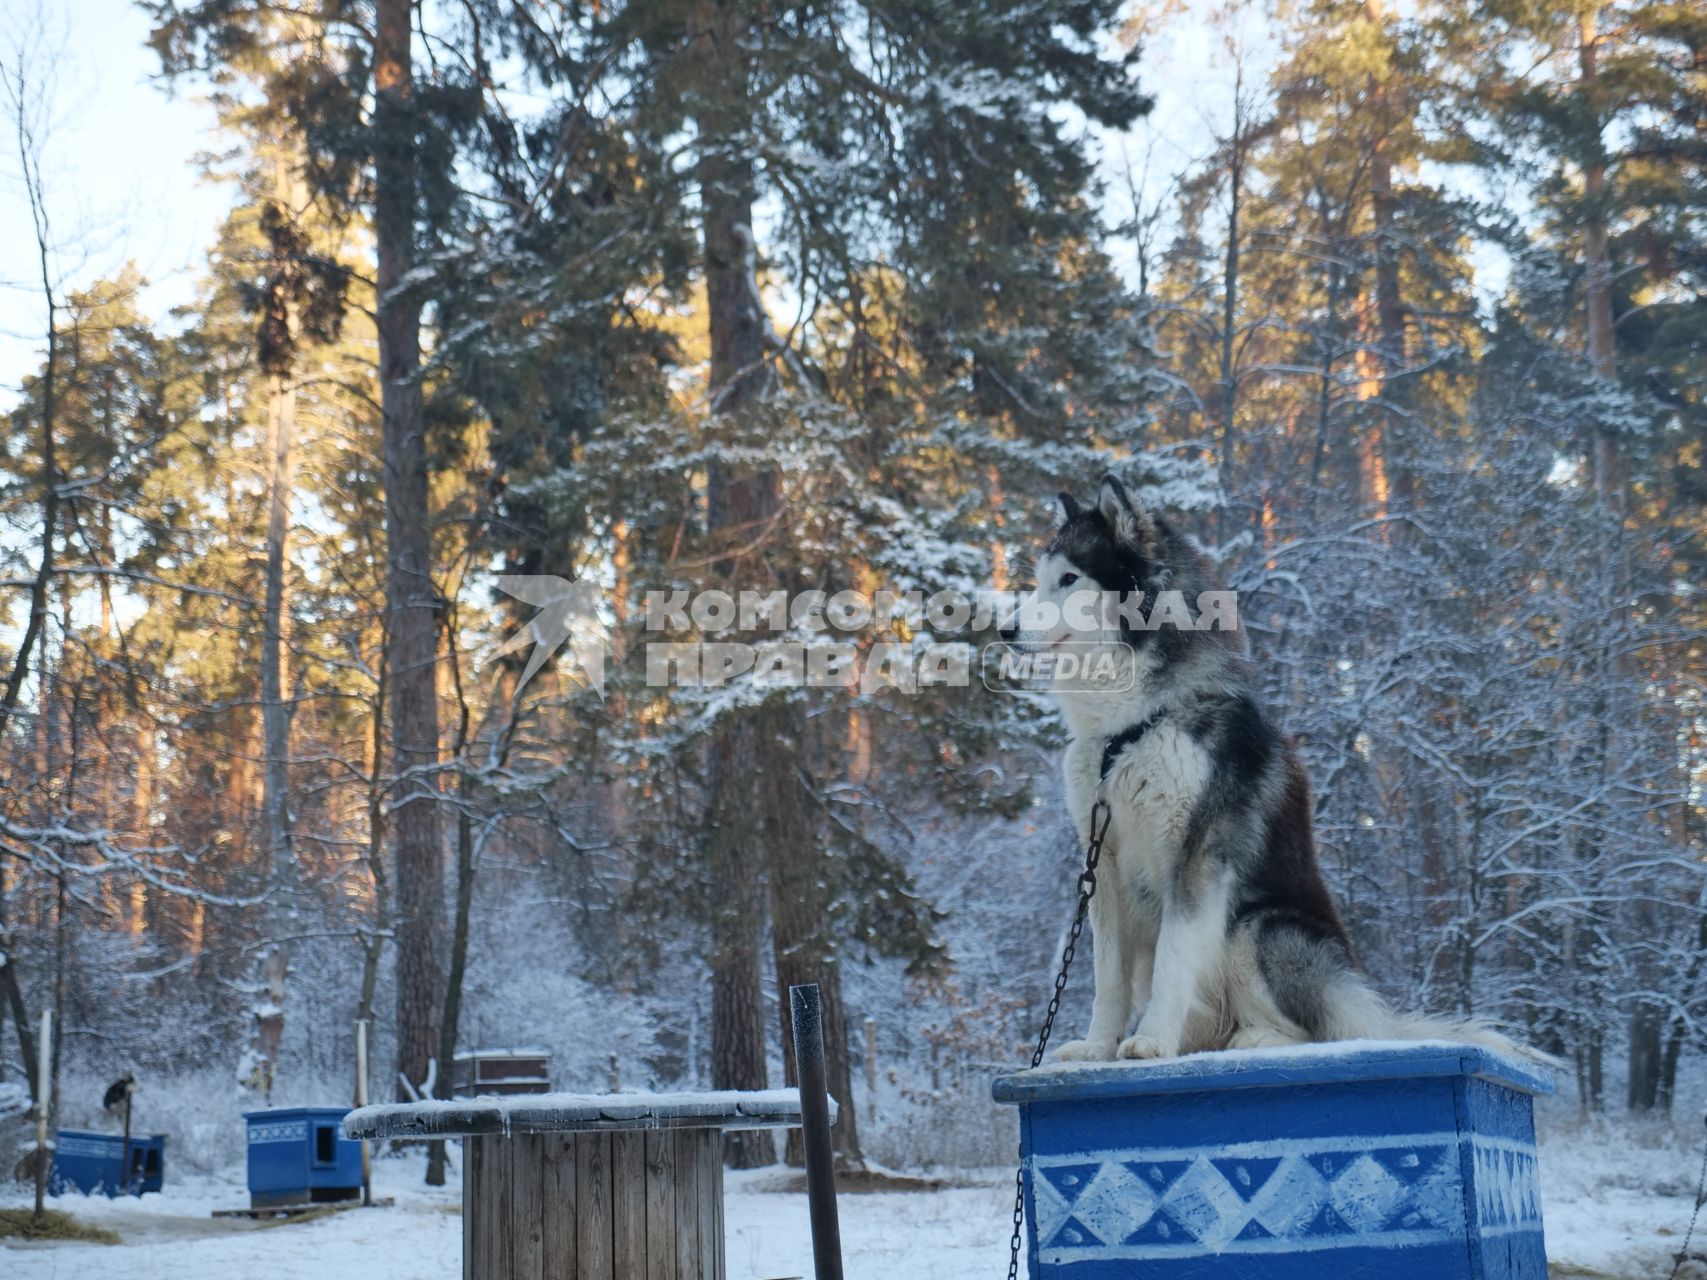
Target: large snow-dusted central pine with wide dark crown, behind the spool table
952,317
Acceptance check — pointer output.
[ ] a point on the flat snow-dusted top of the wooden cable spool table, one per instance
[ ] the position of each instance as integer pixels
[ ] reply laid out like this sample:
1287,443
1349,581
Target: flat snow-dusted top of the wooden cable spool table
549,1114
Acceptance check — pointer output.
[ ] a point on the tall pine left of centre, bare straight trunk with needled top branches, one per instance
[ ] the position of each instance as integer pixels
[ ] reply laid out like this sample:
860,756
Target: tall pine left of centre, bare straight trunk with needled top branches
388,163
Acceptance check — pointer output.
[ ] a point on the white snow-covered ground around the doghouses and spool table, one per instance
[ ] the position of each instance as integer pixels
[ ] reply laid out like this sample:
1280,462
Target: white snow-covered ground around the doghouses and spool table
1616,1211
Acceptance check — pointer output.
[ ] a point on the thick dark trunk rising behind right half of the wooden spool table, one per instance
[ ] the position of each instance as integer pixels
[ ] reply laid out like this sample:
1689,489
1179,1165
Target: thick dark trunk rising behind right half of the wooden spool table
742,503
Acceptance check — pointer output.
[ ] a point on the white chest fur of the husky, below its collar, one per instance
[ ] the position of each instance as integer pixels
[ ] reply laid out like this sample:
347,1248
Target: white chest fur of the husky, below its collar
1151,791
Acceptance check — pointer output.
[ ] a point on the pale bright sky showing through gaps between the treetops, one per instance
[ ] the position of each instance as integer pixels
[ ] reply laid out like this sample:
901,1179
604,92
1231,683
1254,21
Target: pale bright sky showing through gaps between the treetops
125,185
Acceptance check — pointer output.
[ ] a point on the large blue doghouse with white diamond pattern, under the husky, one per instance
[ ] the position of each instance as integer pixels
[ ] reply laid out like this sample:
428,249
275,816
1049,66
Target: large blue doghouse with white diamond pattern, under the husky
1404,1161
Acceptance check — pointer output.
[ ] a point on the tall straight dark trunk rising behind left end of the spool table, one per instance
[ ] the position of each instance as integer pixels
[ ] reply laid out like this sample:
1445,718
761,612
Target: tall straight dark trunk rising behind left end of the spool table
411,590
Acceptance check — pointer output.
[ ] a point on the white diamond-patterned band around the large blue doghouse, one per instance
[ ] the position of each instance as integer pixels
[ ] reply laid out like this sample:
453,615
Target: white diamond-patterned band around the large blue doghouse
1314,1194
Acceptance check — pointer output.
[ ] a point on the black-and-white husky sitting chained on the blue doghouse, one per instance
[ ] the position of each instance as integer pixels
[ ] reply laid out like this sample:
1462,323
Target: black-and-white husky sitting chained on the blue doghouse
1211,919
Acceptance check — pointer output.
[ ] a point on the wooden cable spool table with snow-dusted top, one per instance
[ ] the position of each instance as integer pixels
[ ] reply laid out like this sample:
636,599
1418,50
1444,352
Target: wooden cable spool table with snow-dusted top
590,1187
